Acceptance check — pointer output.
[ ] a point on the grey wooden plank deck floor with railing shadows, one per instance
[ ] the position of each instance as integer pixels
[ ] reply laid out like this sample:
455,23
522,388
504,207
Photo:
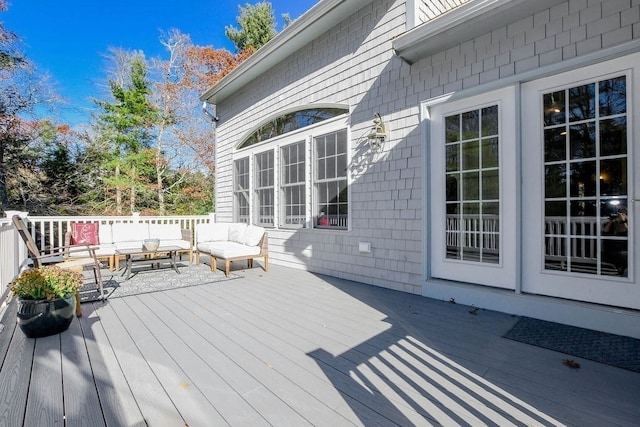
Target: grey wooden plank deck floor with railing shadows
292,348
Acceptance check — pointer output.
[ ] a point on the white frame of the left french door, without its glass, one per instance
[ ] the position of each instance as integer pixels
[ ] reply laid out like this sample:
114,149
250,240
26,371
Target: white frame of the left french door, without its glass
503,274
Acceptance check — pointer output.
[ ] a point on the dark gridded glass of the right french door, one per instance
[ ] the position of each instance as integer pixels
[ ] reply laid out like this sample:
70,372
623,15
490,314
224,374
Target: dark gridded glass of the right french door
585,178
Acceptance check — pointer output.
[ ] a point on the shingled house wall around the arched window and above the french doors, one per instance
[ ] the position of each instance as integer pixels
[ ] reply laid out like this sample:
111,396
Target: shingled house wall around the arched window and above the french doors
353,63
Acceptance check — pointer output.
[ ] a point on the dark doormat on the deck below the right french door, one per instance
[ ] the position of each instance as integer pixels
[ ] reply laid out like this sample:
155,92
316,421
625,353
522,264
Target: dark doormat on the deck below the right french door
616,350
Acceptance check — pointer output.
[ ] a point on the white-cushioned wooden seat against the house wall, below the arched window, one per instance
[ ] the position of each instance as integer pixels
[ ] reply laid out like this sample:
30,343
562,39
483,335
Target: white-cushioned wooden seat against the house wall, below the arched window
231,242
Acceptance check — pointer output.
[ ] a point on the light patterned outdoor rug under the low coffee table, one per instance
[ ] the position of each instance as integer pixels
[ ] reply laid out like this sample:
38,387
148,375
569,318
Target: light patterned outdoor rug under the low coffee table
145,280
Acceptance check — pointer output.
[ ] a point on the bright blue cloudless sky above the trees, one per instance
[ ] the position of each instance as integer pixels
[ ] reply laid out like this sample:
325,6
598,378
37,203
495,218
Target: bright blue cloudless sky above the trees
68,38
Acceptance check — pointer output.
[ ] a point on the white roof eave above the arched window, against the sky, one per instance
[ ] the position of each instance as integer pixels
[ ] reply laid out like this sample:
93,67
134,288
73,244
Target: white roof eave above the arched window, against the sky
312,24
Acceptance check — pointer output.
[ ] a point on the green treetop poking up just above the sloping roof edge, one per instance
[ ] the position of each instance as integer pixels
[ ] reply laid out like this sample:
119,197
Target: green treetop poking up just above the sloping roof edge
257,26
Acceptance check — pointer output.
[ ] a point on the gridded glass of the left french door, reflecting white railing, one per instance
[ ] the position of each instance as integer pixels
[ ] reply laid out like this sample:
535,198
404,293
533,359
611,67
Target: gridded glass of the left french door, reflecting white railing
473,186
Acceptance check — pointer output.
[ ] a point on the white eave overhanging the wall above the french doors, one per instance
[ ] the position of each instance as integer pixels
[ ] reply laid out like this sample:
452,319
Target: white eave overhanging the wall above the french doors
464,23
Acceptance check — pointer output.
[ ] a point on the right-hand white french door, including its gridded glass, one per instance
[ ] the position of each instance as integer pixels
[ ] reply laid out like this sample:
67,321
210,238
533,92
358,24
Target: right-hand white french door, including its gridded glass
580,184
